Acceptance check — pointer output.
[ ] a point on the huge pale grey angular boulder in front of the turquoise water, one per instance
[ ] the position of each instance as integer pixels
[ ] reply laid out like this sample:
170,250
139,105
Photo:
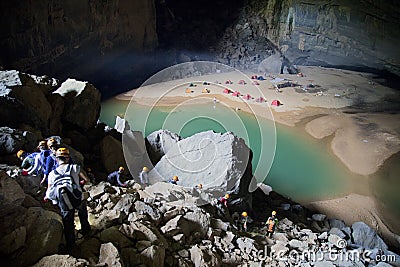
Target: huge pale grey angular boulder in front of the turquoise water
218,161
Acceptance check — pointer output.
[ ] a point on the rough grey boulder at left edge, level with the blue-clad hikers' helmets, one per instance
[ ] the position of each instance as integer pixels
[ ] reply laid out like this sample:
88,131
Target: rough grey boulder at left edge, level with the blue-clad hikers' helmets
12,140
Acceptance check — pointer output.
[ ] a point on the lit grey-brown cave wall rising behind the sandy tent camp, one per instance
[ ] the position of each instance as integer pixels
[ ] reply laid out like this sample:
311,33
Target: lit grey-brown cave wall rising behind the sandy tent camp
355,34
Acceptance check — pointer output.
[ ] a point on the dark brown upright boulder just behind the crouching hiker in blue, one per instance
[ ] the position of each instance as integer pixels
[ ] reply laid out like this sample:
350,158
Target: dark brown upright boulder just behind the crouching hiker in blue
111,154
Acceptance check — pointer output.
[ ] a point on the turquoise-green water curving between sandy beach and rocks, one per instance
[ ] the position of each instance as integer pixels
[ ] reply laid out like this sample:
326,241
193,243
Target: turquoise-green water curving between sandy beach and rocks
303,168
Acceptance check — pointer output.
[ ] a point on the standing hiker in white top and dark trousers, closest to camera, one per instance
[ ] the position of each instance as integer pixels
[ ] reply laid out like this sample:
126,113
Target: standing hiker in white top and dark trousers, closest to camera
64,190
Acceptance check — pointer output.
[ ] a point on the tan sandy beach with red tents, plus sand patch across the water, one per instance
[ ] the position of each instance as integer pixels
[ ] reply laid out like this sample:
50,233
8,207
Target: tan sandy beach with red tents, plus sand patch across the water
348,109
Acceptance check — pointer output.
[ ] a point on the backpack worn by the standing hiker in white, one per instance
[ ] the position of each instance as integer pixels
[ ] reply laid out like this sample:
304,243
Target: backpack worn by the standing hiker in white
69,193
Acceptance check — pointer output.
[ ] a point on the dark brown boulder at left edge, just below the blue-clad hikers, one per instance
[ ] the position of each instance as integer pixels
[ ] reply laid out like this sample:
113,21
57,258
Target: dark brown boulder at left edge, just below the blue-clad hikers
10,191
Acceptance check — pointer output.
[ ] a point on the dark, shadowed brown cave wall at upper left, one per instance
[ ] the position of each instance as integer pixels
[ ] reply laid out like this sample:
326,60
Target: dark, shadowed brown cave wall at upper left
40,32
